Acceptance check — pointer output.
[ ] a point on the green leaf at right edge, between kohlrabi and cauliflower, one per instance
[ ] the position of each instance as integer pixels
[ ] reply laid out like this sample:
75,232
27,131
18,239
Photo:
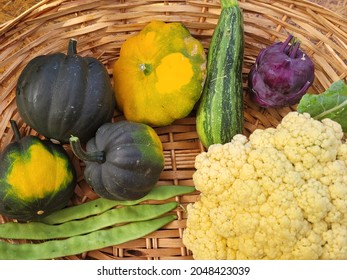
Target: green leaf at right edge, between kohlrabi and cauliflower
330,104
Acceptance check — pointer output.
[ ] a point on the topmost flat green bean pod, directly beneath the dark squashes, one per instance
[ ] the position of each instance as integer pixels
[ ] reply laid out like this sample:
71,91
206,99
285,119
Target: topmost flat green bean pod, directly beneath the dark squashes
100,205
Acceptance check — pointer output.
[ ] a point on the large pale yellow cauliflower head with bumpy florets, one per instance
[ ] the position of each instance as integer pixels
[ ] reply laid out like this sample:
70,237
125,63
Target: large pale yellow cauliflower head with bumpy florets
280,194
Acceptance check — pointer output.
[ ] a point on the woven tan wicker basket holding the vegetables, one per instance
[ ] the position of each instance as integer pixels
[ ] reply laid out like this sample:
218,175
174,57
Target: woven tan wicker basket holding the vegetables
102,26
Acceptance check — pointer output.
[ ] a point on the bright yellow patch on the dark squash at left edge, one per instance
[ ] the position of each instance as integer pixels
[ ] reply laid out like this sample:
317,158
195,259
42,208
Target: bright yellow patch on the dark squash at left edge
37,173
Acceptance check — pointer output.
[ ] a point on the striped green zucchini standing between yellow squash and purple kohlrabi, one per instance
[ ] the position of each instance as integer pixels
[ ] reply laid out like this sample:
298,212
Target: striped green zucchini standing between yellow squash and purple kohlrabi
220,113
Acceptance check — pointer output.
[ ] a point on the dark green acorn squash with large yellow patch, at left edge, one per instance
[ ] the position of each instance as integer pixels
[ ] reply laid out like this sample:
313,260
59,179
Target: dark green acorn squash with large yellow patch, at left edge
36,178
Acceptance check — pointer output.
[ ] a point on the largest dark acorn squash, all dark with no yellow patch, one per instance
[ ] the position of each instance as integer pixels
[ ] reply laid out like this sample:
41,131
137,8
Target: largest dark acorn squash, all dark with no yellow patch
59,95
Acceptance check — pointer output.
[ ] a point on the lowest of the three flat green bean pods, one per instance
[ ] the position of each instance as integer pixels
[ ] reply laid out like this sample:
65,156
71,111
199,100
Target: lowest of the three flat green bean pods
82,243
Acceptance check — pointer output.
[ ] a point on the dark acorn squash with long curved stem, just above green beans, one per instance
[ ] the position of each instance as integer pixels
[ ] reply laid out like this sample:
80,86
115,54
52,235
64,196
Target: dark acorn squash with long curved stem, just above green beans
123,161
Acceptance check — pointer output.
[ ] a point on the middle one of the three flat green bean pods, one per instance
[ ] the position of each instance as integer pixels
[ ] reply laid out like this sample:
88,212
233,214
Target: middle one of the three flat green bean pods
126,214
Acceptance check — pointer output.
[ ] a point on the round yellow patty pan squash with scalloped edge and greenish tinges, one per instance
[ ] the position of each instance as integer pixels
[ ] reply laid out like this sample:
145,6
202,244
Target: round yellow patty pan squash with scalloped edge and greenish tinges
160,73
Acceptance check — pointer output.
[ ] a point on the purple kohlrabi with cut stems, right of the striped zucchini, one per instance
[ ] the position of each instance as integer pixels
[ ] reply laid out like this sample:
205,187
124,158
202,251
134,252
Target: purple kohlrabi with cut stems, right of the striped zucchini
281,75
